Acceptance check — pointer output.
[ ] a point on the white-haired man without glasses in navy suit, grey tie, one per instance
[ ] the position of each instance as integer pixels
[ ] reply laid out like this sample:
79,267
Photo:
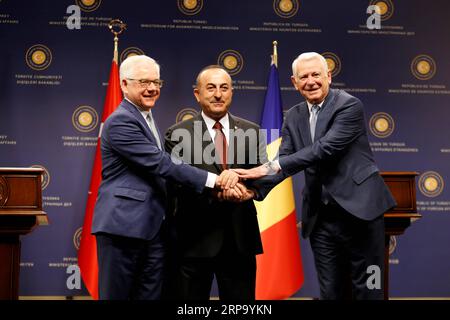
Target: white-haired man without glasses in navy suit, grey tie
344,197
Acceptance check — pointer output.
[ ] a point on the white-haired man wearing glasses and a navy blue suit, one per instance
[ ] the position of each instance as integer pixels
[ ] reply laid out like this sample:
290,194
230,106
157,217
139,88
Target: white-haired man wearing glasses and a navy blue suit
131,205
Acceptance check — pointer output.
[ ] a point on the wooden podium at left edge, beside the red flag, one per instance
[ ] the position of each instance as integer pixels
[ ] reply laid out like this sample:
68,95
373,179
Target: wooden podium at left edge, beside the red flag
20,212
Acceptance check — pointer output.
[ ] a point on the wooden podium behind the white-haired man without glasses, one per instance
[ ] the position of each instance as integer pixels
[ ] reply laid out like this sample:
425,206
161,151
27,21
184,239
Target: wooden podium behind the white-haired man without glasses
403,188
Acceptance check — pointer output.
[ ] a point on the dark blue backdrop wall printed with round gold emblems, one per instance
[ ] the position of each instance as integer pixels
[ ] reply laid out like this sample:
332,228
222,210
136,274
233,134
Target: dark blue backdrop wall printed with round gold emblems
53,83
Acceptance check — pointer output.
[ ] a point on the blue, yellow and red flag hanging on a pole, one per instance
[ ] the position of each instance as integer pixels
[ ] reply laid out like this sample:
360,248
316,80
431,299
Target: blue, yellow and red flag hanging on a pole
279,270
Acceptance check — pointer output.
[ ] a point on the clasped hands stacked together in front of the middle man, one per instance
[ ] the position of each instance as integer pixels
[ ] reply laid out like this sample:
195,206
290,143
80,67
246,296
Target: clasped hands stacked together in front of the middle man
229,188
